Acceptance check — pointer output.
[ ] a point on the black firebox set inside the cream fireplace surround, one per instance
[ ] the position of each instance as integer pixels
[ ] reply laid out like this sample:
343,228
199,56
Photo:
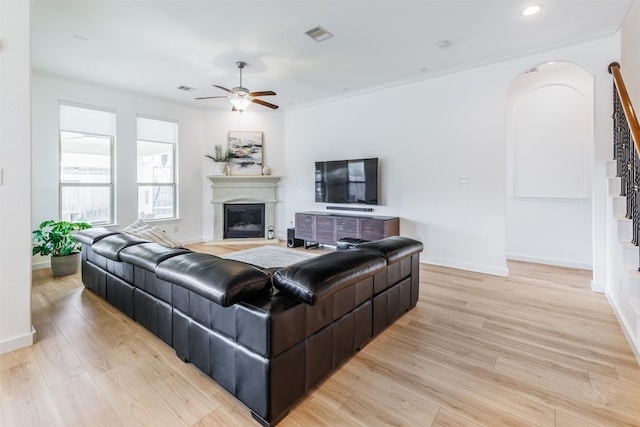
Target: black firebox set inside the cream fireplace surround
244,220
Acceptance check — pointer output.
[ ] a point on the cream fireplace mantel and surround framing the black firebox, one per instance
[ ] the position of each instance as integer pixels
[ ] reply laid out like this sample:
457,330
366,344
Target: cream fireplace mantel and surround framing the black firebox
230,189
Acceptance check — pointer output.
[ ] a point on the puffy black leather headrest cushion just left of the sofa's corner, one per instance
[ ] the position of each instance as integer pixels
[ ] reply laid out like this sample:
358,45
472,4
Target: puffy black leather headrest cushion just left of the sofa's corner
222,281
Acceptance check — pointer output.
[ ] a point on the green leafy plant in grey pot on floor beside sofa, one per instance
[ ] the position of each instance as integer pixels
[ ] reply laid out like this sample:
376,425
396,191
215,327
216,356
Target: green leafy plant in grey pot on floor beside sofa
54,238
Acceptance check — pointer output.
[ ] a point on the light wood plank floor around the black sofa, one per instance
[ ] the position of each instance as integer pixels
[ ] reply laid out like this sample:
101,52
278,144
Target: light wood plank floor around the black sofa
537,348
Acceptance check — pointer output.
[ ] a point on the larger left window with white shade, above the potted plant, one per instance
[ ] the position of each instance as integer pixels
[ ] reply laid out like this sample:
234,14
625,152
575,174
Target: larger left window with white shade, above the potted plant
86,164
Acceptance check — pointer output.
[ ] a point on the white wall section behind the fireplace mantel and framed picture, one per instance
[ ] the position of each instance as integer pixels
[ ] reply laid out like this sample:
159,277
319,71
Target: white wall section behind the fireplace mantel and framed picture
217,127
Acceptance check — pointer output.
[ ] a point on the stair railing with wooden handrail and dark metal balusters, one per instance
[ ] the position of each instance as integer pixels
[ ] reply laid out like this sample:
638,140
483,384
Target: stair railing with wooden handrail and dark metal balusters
626,145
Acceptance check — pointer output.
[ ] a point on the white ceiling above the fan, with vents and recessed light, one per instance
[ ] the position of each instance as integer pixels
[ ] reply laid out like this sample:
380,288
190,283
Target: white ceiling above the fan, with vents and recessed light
152,47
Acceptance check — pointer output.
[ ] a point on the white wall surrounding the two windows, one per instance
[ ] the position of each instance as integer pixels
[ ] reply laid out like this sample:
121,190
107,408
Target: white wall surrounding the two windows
49,90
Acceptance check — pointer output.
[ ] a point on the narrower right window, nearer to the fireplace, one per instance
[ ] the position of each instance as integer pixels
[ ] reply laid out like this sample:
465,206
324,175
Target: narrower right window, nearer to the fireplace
157,141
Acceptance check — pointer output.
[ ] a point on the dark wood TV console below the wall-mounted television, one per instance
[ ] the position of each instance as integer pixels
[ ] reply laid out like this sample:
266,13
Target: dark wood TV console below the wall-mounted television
328,228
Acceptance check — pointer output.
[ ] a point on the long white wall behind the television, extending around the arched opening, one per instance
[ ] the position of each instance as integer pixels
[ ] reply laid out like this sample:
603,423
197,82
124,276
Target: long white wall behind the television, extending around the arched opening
428,134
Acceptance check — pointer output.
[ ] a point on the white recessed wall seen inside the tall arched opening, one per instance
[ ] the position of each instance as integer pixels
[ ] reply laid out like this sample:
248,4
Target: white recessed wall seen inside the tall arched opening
549,166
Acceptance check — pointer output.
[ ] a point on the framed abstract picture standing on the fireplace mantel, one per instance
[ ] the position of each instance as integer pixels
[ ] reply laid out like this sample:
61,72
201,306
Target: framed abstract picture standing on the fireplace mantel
246,152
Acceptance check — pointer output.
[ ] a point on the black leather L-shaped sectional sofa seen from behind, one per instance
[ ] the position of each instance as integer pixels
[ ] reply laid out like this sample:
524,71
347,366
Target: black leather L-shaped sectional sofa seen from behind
268,336
